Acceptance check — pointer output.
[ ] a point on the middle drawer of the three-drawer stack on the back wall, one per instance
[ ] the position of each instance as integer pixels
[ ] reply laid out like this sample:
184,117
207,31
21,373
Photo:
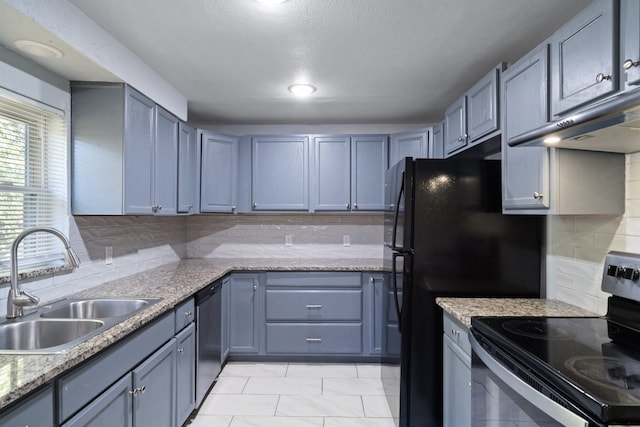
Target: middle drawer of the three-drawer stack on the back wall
314,305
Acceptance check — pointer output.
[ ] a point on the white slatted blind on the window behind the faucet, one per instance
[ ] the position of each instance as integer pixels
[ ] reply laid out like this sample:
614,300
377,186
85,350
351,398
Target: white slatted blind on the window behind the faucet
33,182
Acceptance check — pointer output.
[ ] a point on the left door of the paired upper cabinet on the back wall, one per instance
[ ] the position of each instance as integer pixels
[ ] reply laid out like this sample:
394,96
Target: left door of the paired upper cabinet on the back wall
332,176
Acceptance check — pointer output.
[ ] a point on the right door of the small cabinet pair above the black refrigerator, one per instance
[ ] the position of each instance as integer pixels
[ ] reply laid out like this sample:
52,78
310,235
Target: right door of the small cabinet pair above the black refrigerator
482,106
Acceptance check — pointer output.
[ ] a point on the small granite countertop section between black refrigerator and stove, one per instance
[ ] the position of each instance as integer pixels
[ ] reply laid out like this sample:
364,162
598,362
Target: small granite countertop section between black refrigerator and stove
463,309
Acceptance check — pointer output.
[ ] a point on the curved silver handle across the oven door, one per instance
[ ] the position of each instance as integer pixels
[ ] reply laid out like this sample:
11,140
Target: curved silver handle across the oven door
542,402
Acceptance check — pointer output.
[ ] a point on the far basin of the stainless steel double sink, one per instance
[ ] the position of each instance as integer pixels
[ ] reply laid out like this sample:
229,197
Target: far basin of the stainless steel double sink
96,308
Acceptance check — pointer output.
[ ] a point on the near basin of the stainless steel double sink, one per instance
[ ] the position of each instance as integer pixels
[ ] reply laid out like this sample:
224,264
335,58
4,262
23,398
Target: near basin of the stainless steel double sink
49,335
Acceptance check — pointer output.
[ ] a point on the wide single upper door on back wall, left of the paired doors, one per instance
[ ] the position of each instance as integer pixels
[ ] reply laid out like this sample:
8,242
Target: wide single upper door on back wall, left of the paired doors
280,173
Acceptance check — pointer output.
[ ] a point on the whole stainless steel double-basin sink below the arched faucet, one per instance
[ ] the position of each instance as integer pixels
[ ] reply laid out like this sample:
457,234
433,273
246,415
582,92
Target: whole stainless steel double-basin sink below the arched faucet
66,324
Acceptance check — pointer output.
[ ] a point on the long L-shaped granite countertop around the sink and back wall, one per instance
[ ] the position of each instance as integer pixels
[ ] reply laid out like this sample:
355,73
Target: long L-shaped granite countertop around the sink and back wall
173,283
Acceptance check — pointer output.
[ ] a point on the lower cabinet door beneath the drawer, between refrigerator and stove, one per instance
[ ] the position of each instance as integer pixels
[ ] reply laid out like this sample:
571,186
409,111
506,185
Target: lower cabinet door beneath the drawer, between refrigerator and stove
456,378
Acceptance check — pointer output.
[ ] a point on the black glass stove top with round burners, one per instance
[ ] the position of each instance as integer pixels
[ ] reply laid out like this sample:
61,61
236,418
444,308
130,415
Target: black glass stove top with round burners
591,360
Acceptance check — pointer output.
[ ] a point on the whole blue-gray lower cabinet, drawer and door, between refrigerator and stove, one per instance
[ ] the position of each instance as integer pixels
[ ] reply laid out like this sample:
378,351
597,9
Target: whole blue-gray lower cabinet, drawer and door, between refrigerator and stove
456,374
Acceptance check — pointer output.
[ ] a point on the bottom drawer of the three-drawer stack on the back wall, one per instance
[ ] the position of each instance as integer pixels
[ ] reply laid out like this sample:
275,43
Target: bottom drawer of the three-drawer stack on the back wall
314,338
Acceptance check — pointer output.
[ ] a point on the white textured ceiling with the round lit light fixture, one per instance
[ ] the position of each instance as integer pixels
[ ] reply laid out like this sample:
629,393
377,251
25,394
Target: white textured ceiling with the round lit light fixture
373,61
